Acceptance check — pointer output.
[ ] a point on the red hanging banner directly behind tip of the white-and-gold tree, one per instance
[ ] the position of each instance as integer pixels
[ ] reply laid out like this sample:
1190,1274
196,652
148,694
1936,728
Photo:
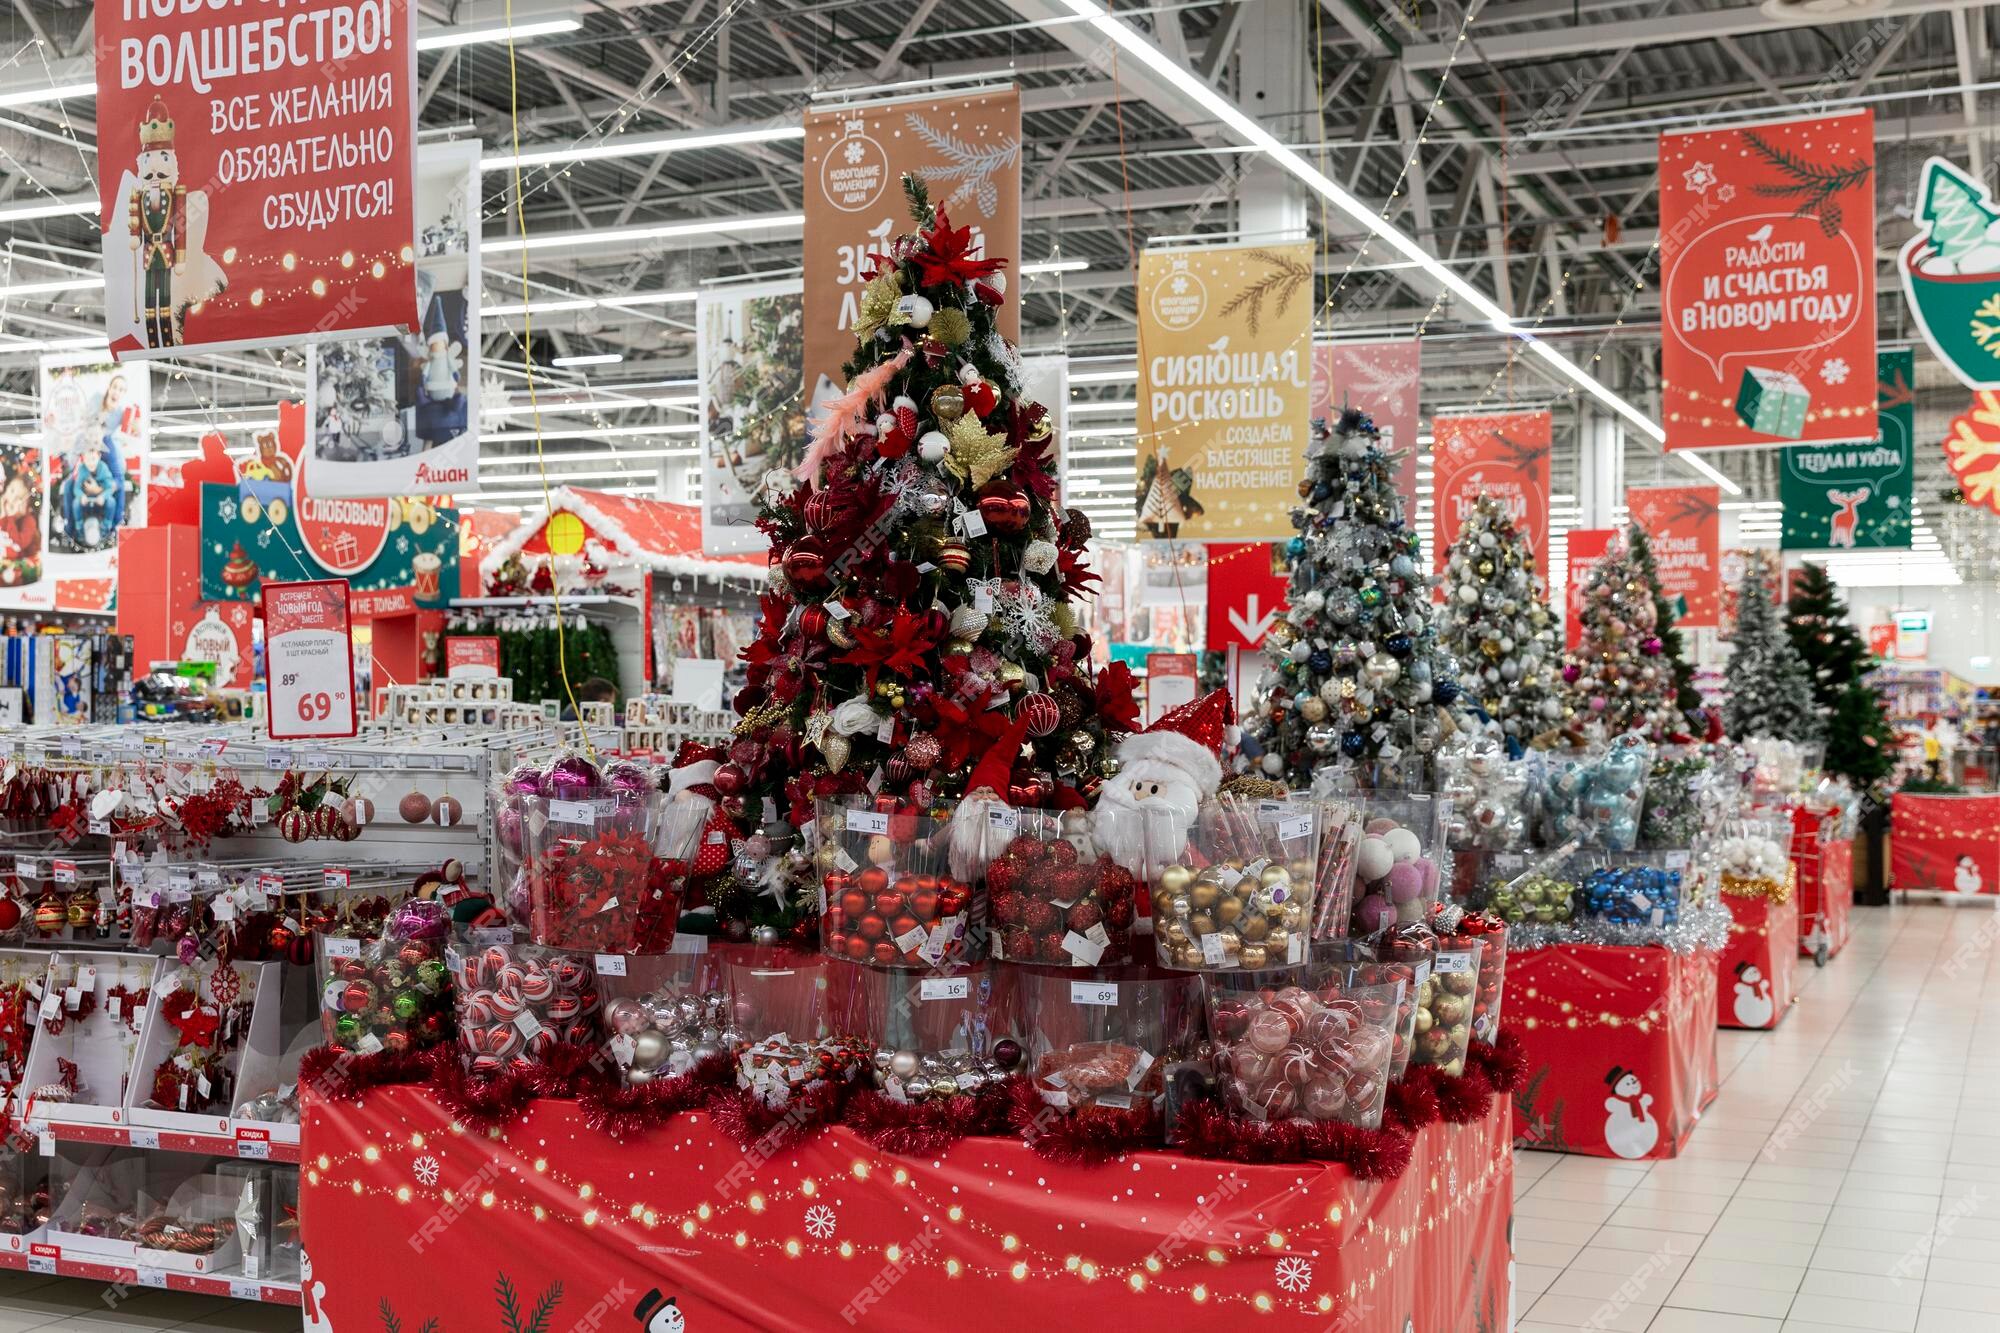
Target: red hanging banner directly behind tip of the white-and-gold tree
1501,455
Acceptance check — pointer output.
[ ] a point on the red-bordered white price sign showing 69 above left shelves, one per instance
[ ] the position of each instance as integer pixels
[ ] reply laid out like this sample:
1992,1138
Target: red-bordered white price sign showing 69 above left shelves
309,661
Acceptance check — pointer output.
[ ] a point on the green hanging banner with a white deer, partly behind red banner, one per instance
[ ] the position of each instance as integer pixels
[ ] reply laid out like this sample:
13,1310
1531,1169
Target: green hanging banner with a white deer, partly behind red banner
1857,495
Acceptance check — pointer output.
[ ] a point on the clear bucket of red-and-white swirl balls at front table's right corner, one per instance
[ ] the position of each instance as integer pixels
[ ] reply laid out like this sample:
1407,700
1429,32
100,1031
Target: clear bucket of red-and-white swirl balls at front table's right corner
1303,1046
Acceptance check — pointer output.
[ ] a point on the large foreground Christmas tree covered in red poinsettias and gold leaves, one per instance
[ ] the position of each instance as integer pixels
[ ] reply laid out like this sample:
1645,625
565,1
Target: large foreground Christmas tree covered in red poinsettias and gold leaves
925,583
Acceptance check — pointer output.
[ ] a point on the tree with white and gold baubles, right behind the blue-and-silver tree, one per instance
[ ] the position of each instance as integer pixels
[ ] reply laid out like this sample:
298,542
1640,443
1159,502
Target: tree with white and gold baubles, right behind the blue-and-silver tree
1497,625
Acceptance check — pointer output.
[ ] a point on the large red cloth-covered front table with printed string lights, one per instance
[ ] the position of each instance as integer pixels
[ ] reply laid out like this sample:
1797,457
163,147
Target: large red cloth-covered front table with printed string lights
409,1220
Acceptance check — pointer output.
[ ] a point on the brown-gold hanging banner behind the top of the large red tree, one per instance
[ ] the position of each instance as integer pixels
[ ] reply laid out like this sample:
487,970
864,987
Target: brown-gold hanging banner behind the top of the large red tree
963,147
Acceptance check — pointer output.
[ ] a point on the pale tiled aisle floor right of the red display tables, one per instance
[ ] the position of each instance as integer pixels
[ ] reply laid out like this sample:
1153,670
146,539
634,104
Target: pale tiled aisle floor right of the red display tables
1847,1178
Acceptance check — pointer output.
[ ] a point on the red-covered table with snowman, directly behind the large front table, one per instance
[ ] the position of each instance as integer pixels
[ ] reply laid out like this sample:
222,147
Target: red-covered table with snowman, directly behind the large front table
1621,1048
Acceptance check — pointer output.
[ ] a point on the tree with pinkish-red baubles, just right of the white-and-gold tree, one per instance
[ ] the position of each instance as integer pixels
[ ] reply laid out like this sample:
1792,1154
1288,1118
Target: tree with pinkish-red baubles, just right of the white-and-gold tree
1619,678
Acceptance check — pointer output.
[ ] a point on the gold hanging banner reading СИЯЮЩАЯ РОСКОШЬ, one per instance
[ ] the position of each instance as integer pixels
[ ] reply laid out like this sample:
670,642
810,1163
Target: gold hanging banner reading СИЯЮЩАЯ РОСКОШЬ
1225,391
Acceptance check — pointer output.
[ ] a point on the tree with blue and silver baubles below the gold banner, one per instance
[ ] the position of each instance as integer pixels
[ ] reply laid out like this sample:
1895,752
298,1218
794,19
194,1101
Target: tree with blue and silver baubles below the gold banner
1355,670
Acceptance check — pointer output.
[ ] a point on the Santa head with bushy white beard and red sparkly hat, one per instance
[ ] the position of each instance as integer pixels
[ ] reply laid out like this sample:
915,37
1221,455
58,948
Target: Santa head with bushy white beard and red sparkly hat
1165,776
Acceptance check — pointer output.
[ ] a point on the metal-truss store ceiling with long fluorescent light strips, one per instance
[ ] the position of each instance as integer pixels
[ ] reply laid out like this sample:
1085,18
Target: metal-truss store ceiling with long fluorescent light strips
1483,175
